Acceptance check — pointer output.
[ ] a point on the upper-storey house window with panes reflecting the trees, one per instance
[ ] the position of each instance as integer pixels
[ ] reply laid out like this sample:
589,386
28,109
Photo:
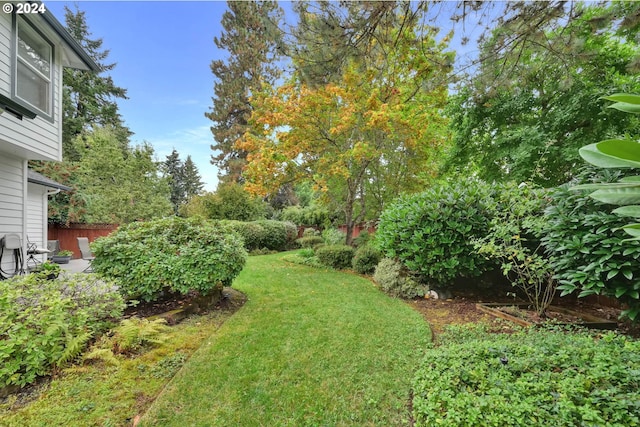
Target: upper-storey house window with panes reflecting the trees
33,68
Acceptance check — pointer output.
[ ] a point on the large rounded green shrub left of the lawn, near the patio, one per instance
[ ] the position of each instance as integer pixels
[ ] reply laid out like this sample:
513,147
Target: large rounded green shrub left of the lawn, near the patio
169,255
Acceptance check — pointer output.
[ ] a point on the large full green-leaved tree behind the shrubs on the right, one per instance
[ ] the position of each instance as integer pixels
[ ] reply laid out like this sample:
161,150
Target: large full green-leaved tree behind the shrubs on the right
525,117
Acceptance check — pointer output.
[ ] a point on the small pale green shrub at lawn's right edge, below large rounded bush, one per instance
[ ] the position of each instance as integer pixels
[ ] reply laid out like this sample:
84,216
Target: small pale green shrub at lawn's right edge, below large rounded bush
394,279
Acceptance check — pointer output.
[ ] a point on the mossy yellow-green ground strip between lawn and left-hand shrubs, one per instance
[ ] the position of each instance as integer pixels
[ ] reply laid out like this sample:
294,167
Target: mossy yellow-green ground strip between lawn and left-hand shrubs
103,391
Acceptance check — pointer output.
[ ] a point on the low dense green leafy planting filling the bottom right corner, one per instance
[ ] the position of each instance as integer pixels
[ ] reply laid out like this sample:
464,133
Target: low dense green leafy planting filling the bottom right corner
533,377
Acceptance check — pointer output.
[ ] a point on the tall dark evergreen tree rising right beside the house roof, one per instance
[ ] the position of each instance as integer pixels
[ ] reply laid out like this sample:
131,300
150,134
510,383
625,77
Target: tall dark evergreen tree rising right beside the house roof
89,99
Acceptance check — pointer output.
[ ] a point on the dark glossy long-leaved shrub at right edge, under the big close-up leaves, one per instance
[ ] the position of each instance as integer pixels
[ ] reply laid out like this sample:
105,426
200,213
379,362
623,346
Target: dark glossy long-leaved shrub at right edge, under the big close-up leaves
588,251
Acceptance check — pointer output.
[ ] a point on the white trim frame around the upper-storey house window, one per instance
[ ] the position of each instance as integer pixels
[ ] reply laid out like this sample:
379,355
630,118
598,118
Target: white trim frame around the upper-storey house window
36,111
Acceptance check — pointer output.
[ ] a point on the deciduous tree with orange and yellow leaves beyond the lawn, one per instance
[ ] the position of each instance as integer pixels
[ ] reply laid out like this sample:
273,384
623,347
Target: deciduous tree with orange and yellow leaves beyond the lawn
334,134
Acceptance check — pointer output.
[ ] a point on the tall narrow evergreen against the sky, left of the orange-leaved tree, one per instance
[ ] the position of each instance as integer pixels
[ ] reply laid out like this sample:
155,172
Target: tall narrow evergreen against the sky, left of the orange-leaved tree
252,39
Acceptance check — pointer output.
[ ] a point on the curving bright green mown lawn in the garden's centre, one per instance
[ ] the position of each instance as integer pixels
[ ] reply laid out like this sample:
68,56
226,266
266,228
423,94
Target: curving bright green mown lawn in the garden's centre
310,348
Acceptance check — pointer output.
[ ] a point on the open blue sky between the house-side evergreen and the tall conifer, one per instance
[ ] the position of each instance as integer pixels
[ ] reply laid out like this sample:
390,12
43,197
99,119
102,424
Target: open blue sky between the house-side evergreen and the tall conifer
163,50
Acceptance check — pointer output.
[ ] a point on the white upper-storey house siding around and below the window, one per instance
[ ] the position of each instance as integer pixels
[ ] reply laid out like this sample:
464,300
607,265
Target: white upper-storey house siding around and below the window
39,138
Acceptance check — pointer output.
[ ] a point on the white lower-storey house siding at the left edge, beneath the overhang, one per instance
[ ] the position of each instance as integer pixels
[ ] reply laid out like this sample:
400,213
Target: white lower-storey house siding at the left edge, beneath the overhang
12,193
